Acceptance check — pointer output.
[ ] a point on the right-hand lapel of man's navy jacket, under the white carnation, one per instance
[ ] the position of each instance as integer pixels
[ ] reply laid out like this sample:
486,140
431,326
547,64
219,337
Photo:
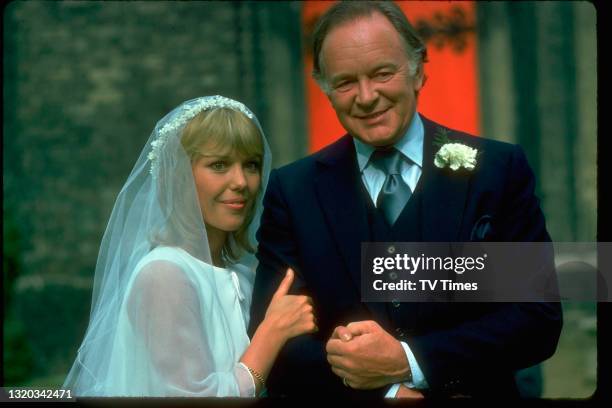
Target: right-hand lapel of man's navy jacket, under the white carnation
444,194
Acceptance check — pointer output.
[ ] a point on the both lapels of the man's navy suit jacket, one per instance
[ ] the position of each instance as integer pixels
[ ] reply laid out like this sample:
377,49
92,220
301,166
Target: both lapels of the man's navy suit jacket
339,191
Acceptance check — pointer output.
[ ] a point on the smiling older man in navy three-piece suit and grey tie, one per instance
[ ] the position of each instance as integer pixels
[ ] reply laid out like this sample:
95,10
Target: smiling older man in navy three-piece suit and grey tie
379,183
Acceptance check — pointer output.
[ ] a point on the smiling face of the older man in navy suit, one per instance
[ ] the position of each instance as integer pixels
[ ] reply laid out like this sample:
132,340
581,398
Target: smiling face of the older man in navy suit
365,64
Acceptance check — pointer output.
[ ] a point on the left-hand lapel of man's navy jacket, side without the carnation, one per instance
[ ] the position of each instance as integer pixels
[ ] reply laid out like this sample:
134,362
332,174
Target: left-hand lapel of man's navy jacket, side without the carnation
340,194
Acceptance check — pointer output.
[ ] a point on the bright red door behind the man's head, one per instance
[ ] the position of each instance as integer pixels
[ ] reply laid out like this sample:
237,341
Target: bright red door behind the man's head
450,94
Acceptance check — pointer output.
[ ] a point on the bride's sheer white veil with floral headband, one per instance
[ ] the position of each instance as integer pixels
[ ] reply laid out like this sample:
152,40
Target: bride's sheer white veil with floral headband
157,204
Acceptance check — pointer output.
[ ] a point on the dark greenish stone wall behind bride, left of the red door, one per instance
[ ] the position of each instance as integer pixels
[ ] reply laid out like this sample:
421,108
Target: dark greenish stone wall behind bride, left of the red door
85,83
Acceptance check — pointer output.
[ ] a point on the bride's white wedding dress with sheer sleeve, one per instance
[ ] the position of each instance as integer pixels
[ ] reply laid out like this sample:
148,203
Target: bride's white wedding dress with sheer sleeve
182,329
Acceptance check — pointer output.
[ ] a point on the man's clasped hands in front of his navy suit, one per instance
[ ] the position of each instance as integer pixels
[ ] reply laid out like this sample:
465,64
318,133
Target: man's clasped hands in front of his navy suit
366,356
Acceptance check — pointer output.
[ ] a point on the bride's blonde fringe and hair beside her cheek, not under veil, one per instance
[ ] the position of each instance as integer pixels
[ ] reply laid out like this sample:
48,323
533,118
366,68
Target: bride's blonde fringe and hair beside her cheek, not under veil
225,130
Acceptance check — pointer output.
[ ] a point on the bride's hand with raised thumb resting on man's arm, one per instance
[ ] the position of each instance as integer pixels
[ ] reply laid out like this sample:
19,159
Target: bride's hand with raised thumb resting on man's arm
290,315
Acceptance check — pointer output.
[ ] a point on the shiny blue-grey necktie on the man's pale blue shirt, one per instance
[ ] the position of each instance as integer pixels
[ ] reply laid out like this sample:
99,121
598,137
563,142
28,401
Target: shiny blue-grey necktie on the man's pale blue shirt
395,193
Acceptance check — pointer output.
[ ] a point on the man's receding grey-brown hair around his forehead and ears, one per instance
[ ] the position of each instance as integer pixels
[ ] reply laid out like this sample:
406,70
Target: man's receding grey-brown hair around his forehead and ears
346,11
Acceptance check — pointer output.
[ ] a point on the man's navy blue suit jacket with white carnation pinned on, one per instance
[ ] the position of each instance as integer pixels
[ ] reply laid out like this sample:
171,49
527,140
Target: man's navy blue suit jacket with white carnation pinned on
314,220
